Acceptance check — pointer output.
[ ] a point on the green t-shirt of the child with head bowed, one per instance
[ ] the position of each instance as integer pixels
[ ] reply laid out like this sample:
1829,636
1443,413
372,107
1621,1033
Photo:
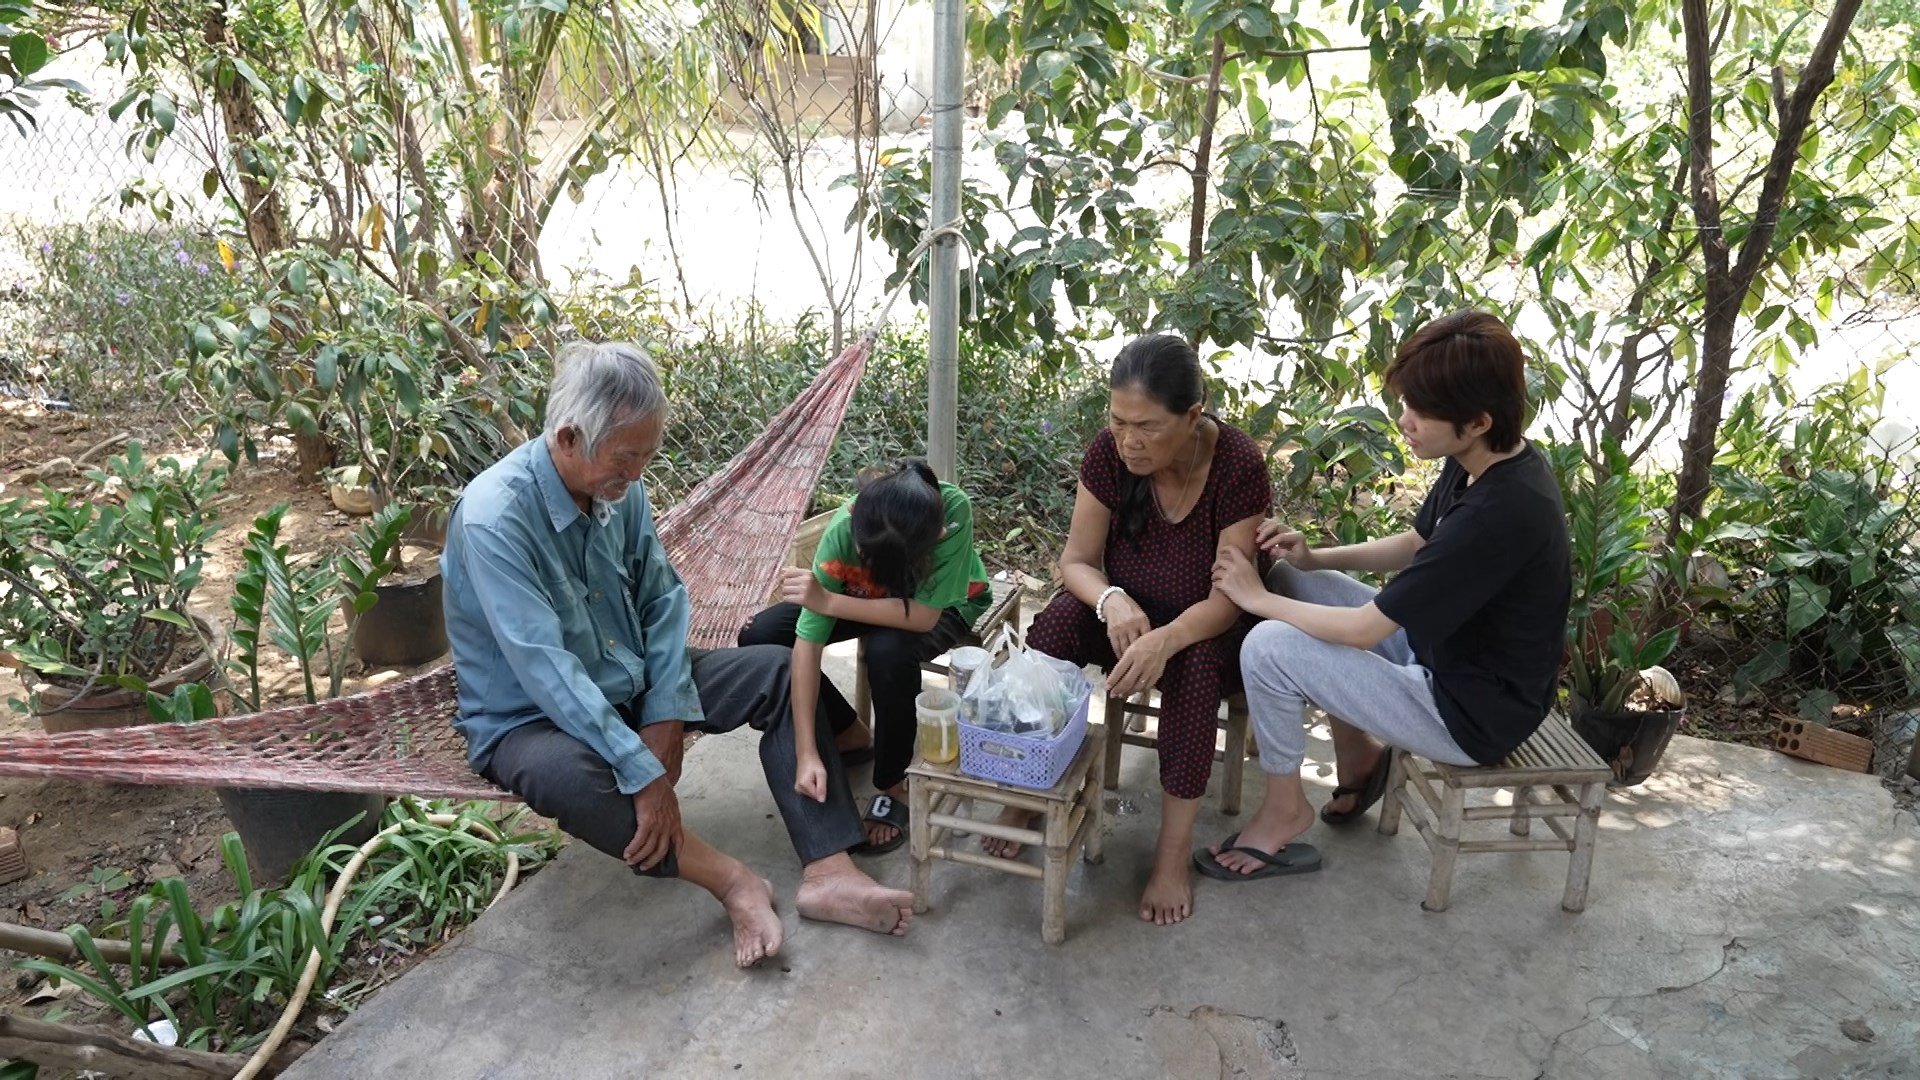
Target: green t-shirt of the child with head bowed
957,579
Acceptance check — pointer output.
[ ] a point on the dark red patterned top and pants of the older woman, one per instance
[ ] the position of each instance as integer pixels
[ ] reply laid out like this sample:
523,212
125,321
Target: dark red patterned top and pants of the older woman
1166,572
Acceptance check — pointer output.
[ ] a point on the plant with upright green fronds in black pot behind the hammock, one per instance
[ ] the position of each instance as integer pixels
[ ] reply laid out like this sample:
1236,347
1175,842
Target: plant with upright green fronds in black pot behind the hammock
291,604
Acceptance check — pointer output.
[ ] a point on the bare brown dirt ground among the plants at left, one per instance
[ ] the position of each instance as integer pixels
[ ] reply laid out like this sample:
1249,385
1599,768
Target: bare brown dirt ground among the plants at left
95,843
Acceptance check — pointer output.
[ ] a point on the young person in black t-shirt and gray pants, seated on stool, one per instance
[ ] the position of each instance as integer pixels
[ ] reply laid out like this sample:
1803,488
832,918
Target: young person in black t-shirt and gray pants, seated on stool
1456,658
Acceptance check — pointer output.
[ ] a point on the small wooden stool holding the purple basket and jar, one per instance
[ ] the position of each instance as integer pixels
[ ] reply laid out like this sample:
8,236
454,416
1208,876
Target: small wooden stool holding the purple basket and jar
1072,818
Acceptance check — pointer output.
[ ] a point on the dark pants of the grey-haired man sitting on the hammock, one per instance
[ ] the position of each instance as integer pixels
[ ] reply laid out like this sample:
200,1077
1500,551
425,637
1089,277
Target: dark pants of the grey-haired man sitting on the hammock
564,779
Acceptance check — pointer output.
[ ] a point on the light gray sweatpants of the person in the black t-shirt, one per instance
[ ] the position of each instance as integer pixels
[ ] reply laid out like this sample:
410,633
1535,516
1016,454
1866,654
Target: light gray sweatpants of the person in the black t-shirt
1381,691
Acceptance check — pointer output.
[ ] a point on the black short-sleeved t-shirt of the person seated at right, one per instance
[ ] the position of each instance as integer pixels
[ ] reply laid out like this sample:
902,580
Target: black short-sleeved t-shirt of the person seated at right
1485,602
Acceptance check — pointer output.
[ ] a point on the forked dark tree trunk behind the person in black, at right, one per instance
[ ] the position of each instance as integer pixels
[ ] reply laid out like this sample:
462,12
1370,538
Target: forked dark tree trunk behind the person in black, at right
1729,285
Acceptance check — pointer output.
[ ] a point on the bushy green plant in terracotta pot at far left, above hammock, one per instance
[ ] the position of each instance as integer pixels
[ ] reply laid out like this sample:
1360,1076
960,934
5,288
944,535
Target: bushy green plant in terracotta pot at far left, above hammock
95,591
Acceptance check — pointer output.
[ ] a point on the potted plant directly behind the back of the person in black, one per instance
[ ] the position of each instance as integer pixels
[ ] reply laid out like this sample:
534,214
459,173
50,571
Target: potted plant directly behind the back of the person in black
1620,631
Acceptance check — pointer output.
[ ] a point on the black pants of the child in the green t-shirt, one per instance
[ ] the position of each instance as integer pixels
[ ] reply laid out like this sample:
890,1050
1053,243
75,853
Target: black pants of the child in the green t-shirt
892,672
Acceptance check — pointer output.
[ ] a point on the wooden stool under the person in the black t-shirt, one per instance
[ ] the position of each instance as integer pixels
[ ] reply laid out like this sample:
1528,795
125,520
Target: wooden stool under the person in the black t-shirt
1552,775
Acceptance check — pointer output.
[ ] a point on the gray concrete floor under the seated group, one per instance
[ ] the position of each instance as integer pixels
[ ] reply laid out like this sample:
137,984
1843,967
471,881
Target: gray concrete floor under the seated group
1752,916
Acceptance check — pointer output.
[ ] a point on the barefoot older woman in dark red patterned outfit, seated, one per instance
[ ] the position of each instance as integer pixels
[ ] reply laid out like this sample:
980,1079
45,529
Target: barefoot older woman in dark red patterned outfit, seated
1161,493
